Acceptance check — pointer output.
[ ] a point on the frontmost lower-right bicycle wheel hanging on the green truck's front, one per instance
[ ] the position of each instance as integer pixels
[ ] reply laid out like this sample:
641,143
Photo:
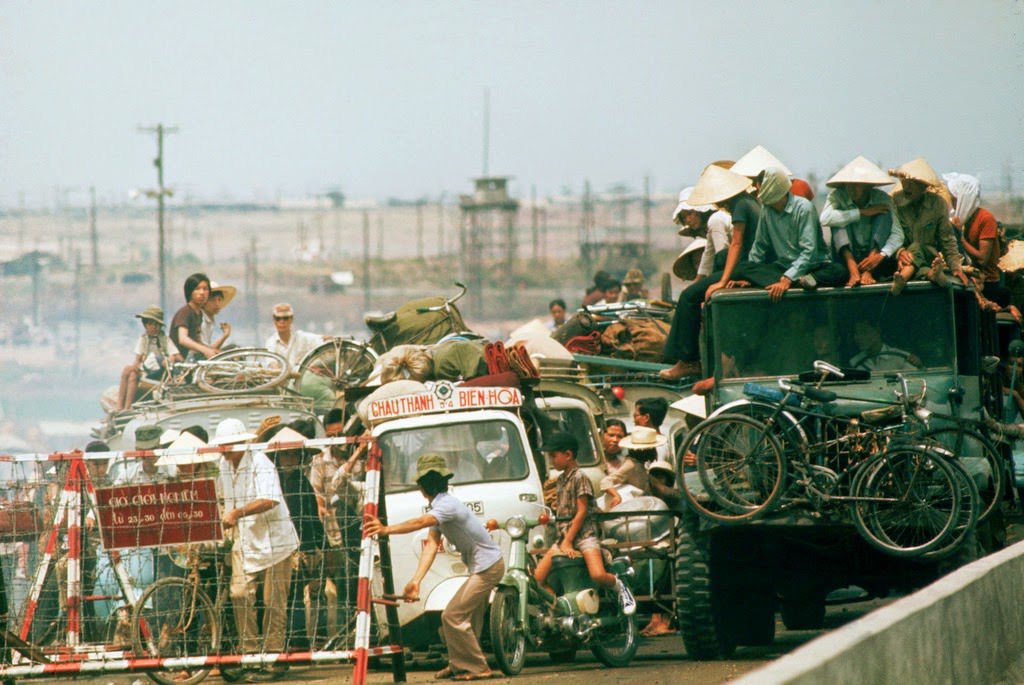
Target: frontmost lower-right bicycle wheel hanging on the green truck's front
907,500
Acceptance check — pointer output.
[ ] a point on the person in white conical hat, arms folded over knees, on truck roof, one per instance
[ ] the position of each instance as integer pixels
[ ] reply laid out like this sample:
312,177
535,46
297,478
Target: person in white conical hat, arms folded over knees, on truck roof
865,230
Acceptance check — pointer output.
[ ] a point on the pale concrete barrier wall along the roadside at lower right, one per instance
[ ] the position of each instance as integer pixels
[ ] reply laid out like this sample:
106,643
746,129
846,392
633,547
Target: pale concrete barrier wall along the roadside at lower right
967,628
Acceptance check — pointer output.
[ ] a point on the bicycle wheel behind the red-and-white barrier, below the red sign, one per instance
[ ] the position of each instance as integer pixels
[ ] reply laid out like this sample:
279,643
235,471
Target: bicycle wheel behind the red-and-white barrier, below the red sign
176,619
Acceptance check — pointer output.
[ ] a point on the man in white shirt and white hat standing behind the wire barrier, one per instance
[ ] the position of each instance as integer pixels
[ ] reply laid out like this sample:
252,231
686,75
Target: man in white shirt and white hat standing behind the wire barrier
265,539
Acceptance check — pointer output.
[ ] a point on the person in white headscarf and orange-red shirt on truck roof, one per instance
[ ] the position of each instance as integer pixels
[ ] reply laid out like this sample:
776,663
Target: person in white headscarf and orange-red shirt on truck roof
979,234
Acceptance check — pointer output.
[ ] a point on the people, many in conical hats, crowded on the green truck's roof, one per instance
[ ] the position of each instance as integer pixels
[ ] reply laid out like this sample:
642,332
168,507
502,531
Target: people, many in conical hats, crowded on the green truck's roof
758,227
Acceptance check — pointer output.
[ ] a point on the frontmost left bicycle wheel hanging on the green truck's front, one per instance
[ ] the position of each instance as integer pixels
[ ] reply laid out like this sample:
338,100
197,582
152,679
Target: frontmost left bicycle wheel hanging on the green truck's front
741,468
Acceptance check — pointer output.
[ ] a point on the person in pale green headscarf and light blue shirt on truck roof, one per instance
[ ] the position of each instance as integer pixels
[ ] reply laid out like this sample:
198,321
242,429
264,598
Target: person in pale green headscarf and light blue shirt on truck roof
790,236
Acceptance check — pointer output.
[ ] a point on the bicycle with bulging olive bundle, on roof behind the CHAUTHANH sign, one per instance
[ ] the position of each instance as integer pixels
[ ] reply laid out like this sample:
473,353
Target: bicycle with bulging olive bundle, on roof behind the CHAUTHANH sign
347,363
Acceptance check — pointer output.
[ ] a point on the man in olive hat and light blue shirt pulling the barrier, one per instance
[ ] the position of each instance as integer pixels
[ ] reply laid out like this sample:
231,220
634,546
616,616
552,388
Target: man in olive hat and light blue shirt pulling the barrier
463,618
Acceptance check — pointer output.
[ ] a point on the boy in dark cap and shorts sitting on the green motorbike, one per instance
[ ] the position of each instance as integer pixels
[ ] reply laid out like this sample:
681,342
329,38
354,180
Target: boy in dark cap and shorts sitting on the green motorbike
577,530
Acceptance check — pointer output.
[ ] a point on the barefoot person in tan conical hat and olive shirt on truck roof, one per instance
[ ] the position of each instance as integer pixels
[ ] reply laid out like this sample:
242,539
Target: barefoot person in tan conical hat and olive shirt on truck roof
929,243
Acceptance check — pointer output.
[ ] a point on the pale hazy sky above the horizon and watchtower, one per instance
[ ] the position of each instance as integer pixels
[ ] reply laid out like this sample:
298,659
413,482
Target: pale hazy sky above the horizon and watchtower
387,99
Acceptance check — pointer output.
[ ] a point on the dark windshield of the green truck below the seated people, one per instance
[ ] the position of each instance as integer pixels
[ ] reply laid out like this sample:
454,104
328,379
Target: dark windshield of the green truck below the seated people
868,330
